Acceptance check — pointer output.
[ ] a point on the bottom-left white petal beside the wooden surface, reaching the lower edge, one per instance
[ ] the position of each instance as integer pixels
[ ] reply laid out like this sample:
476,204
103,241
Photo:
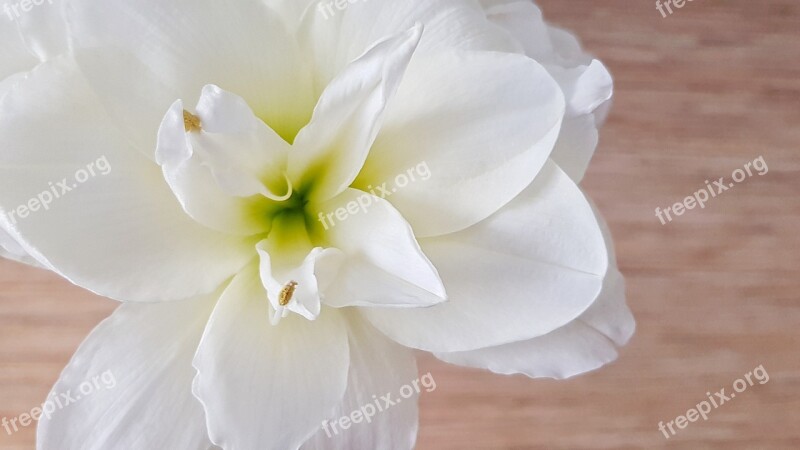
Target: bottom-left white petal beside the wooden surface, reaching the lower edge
138,368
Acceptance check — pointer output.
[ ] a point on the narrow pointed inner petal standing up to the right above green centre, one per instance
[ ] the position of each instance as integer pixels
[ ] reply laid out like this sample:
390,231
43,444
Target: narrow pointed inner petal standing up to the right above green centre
331,150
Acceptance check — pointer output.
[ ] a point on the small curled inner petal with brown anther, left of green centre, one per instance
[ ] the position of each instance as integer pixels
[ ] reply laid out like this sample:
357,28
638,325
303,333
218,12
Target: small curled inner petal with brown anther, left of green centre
218,173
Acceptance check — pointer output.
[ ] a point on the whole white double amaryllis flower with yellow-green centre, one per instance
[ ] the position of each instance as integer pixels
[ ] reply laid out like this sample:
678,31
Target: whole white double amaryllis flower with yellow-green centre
239,133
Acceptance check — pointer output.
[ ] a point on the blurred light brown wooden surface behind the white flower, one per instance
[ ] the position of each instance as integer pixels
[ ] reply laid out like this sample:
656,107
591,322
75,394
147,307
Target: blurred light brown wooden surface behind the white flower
698,94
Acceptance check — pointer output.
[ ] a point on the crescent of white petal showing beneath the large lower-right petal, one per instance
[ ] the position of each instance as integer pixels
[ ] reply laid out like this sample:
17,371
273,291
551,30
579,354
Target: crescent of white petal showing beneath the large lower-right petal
584,344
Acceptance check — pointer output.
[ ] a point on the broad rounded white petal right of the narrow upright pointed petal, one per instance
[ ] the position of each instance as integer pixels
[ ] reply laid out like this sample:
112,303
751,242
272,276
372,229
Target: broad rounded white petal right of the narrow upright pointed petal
482,123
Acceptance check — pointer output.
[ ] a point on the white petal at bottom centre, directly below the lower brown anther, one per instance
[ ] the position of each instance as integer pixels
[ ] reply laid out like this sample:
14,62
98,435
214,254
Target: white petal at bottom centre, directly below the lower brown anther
263,386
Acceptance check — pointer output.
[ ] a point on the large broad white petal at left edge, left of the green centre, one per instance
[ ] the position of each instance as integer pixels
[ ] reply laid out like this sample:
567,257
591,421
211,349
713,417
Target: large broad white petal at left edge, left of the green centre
119,233
